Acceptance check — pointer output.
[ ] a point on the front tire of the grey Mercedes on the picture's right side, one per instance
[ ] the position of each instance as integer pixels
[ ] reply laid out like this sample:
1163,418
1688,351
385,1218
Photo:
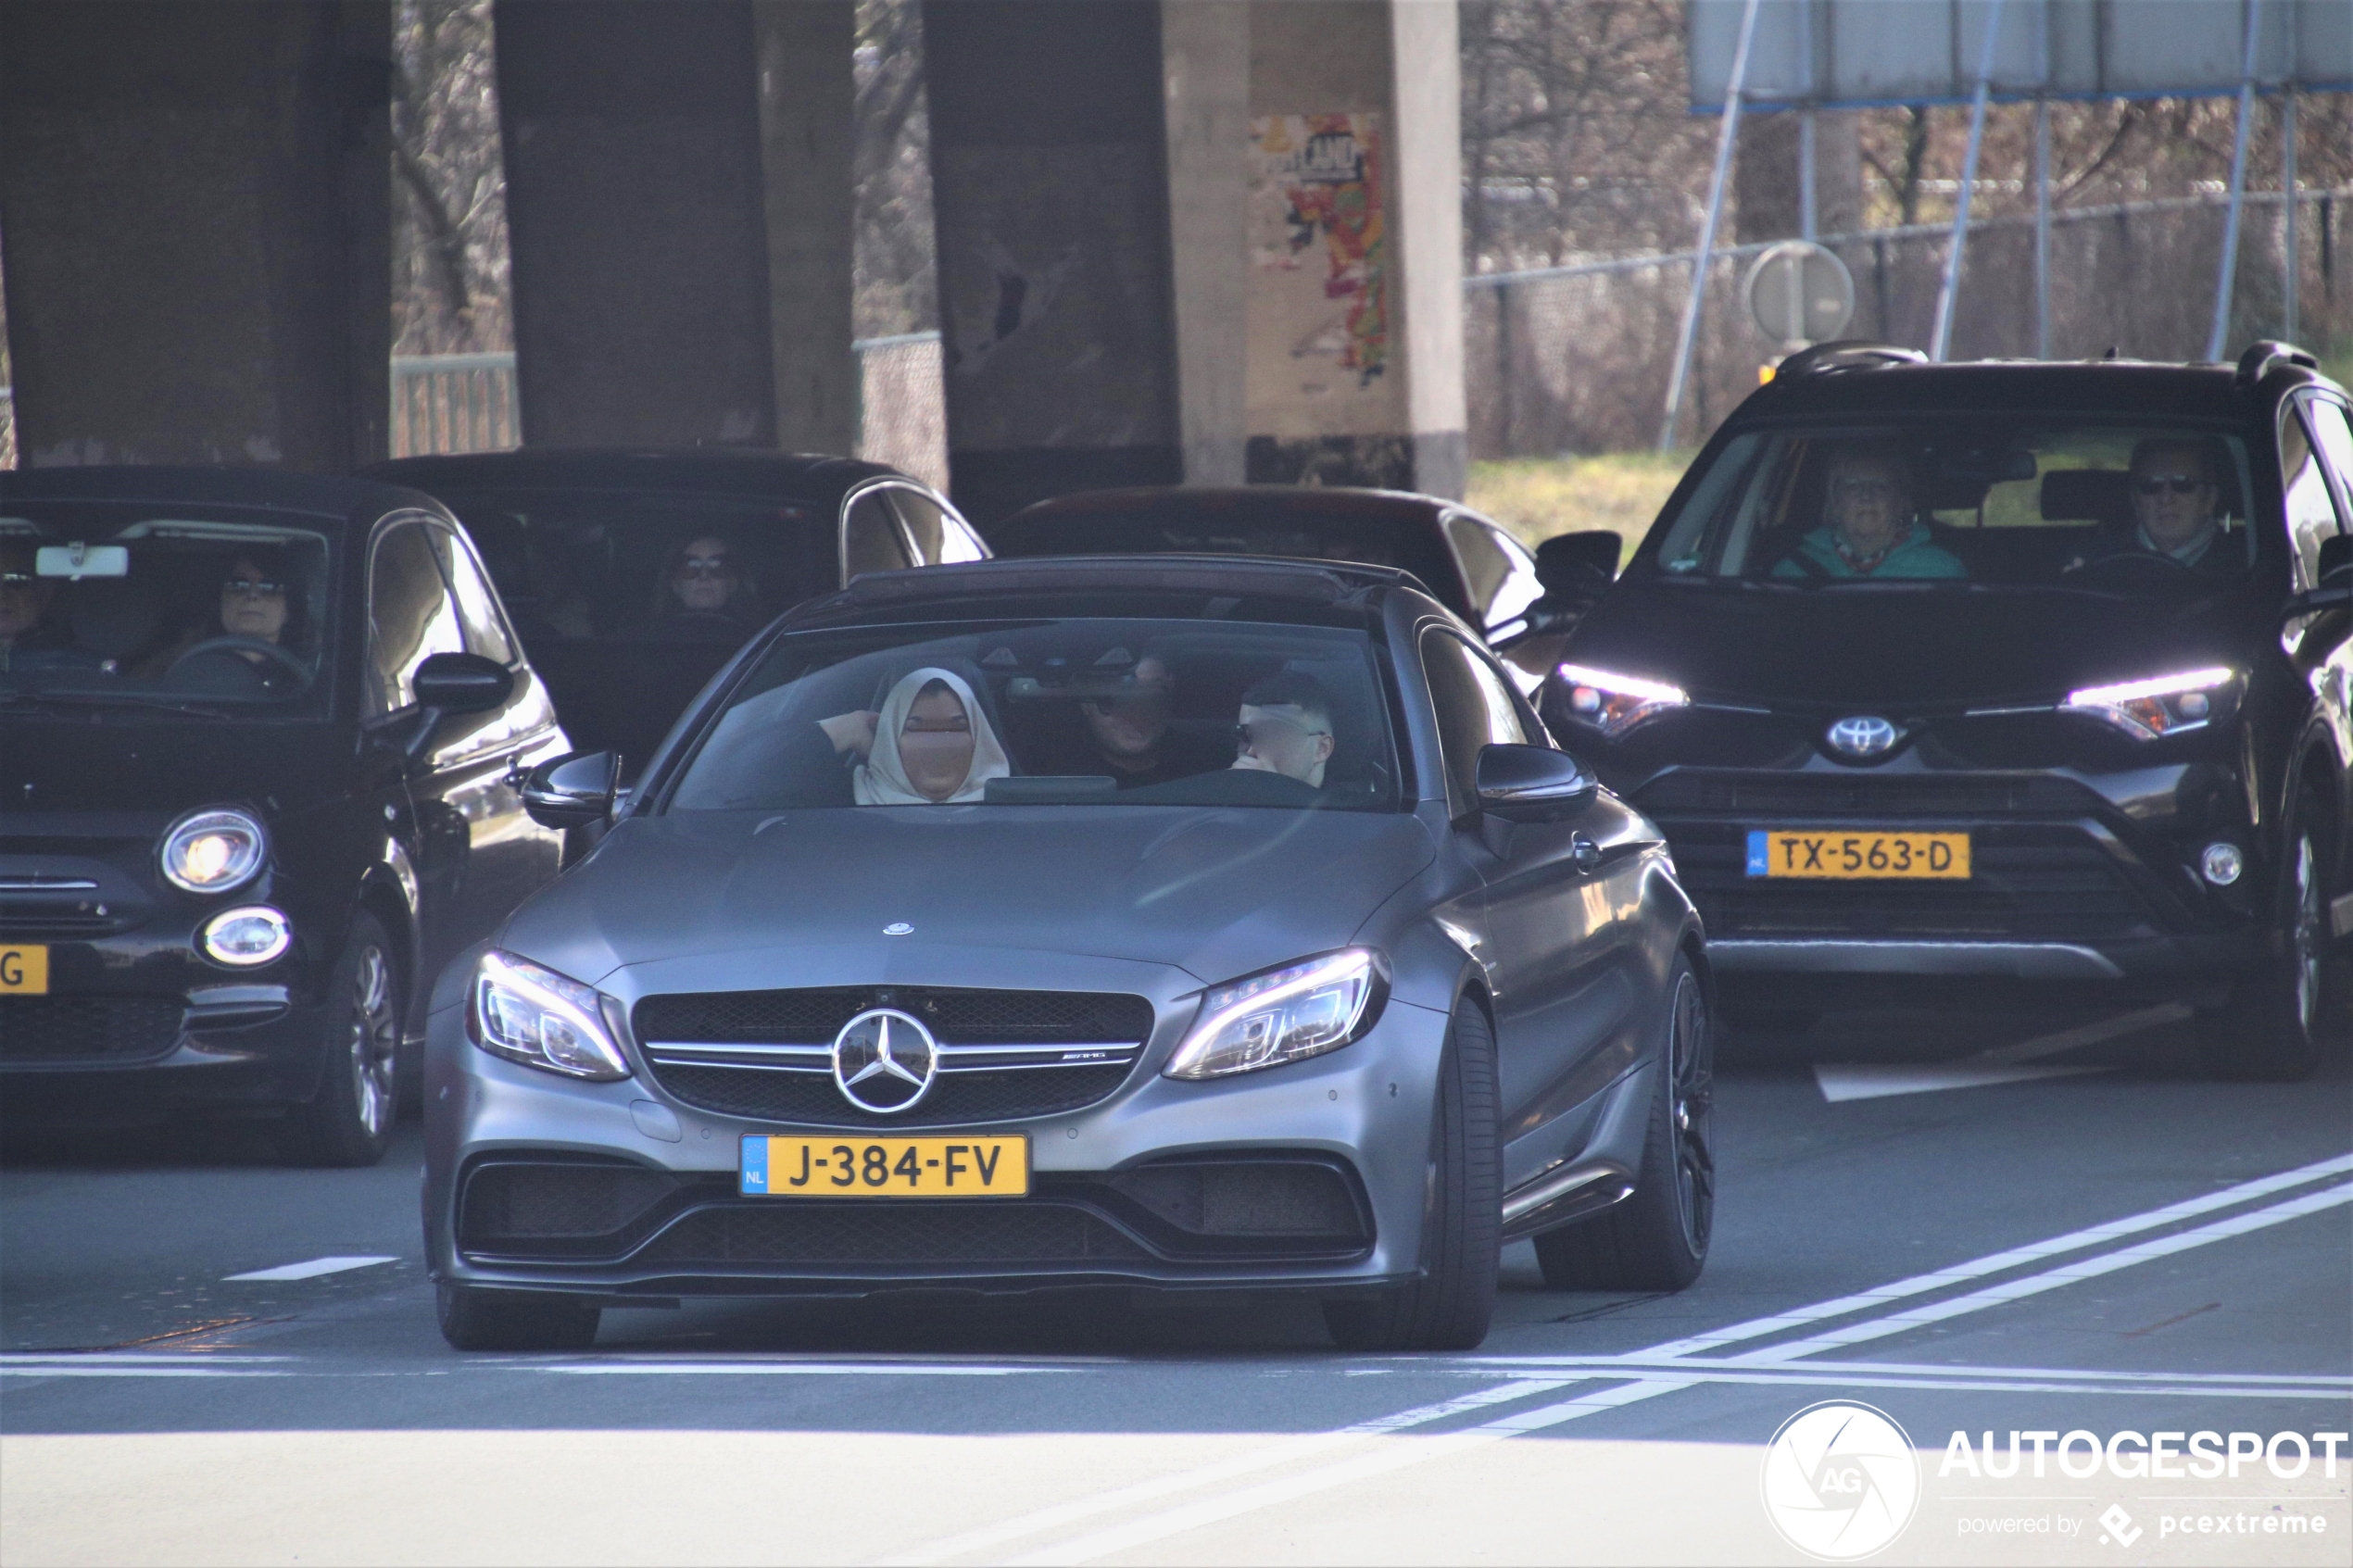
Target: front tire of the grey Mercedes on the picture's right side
1462,1226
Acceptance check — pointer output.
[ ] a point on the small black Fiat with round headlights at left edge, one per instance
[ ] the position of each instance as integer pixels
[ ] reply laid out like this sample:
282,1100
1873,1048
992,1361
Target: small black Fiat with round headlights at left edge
258,753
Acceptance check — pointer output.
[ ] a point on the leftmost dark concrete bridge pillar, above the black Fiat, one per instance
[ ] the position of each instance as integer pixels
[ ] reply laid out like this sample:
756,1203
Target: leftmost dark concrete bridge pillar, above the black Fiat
196,222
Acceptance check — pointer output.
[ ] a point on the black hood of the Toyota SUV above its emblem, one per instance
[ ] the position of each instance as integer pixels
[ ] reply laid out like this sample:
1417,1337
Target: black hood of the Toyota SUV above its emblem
1893,648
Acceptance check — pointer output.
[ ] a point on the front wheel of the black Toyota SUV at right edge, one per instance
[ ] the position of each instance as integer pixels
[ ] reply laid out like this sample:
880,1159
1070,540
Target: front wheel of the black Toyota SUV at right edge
2274,1021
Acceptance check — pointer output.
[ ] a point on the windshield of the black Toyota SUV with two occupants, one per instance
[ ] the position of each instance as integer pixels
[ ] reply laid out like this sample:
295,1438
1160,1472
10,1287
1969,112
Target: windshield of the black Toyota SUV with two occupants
2117,507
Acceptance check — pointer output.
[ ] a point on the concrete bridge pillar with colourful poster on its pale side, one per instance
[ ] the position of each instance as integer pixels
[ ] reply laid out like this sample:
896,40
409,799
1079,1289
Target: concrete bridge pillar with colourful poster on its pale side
1197,243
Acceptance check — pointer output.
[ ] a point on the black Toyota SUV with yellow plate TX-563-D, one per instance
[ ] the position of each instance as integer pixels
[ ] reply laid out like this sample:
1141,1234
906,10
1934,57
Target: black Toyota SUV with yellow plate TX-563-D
2001,671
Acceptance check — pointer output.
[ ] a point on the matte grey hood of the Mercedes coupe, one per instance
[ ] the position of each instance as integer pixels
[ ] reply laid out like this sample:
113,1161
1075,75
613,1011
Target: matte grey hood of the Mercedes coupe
1215,892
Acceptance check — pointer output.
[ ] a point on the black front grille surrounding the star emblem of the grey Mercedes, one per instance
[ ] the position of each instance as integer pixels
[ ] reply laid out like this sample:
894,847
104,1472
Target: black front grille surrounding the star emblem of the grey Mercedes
1004,1054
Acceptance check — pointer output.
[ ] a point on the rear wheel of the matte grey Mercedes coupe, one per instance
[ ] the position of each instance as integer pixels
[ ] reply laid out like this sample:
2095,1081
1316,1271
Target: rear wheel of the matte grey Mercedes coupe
1658,1240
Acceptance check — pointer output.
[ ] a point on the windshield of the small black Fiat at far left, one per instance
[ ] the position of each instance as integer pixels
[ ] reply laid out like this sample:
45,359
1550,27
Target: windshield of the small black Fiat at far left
218,612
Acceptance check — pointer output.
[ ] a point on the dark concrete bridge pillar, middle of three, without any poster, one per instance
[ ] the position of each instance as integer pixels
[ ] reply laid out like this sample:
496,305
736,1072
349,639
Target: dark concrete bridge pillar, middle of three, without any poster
679,196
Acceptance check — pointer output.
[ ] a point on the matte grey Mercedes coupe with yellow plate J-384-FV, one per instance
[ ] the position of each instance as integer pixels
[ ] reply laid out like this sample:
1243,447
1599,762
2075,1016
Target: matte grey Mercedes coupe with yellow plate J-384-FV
1149,923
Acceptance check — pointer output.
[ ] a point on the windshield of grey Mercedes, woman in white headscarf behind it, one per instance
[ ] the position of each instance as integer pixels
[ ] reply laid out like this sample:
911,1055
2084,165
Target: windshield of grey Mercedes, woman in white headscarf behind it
1095,713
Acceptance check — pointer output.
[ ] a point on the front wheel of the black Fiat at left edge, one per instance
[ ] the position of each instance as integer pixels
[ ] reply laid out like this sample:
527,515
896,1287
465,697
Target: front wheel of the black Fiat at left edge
349,1123
